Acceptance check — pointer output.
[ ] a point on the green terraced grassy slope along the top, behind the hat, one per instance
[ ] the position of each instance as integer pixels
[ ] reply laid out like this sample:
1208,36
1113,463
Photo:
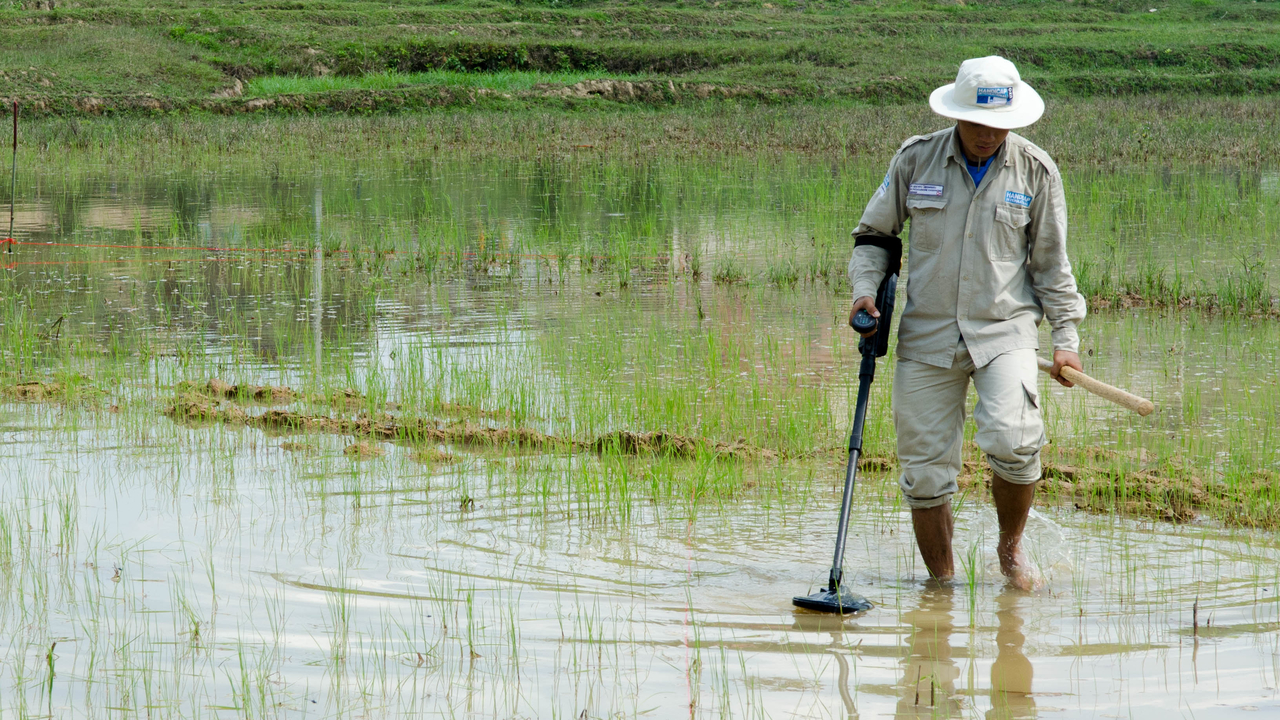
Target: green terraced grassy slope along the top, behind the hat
80,57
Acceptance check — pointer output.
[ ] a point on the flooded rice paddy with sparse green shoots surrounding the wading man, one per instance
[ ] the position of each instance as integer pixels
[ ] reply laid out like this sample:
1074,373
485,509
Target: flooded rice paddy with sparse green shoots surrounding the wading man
564,440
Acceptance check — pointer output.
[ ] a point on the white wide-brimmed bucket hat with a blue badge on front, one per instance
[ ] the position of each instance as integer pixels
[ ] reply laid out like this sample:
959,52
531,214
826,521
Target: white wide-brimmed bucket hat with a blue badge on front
989,92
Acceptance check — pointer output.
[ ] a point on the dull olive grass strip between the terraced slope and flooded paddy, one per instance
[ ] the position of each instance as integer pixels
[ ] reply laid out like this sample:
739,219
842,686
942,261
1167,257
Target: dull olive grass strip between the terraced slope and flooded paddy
1080,134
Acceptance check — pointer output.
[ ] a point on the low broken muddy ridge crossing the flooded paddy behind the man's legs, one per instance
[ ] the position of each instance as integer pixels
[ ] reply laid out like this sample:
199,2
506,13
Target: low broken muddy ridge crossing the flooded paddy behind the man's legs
1092,480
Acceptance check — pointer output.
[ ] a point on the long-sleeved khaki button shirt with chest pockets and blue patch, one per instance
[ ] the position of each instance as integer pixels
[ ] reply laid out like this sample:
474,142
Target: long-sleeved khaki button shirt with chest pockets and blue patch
986,265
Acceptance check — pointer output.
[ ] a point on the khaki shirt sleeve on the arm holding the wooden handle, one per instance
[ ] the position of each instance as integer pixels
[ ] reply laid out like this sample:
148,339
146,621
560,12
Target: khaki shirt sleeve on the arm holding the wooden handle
1050,268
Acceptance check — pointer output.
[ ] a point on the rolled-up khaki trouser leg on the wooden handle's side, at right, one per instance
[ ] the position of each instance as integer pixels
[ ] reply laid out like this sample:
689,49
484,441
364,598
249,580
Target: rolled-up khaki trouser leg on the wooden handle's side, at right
1011,429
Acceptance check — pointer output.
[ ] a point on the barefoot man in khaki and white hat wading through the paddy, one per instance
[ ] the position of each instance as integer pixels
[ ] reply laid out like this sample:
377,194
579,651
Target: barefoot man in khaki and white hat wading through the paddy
988,261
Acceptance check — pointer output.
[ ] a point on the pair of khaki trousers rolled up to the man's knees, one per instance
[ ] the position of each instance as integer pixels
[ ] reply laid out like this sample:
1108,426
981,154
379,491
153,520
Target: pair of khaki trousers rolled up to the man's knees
929,416
